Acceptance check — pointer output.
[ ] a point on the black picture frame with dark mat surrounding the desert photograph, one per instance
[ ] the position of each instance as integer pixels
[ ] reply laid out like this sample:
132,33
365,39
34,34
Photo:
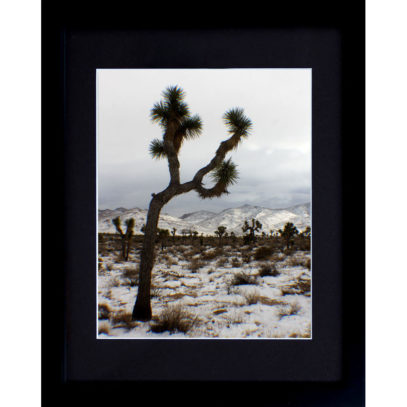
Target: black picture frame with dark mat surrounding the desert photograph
73,44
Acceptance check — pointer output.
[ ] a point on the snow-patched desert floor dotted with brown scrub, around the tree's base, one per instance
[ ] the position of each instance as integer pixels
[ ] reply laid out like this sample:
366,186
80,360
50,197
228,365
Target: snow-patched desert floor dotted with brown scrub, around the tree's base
208,292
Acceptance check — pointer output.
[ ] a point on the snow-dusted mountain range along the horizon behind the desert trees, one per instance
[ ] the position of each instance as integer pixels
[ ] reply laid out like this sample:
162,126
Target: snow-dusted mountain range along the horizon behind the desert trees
207,222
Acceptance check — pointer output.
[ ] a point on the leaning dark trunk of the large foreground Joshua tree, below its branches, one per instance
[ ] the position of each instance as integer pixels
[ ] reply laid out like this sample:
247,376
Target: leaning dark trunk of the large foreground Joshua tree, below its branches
142,307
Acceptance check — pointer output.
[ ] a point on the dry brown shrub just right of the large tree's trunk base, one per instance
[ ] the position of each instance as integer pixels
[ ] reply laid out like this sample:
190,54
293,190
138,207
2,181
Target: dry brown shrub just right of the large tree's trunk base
173,319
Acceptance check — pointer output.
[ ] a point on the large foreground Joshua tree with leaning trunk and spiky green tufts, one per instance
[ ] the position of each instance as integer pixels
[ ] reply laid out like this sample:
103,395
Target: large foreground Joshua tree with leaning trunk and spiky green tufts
178,125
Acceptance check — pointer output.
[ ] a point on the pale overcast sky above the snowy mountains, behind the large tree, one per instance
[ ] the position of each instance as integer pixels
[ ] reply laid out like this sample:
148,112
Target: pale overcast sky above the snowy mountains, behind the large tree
274,163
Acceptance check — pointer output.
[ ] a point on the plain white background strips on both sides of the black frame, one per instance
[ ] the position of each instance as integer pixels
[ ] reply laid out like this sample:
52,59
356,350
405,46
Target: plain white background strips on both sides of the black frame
385,211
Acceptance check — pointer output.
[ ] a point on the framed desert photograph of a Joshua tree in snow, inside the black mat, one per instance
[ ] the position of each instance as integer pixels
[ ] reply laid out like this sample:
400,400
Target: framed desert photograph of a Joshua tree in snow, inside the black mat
204,204
